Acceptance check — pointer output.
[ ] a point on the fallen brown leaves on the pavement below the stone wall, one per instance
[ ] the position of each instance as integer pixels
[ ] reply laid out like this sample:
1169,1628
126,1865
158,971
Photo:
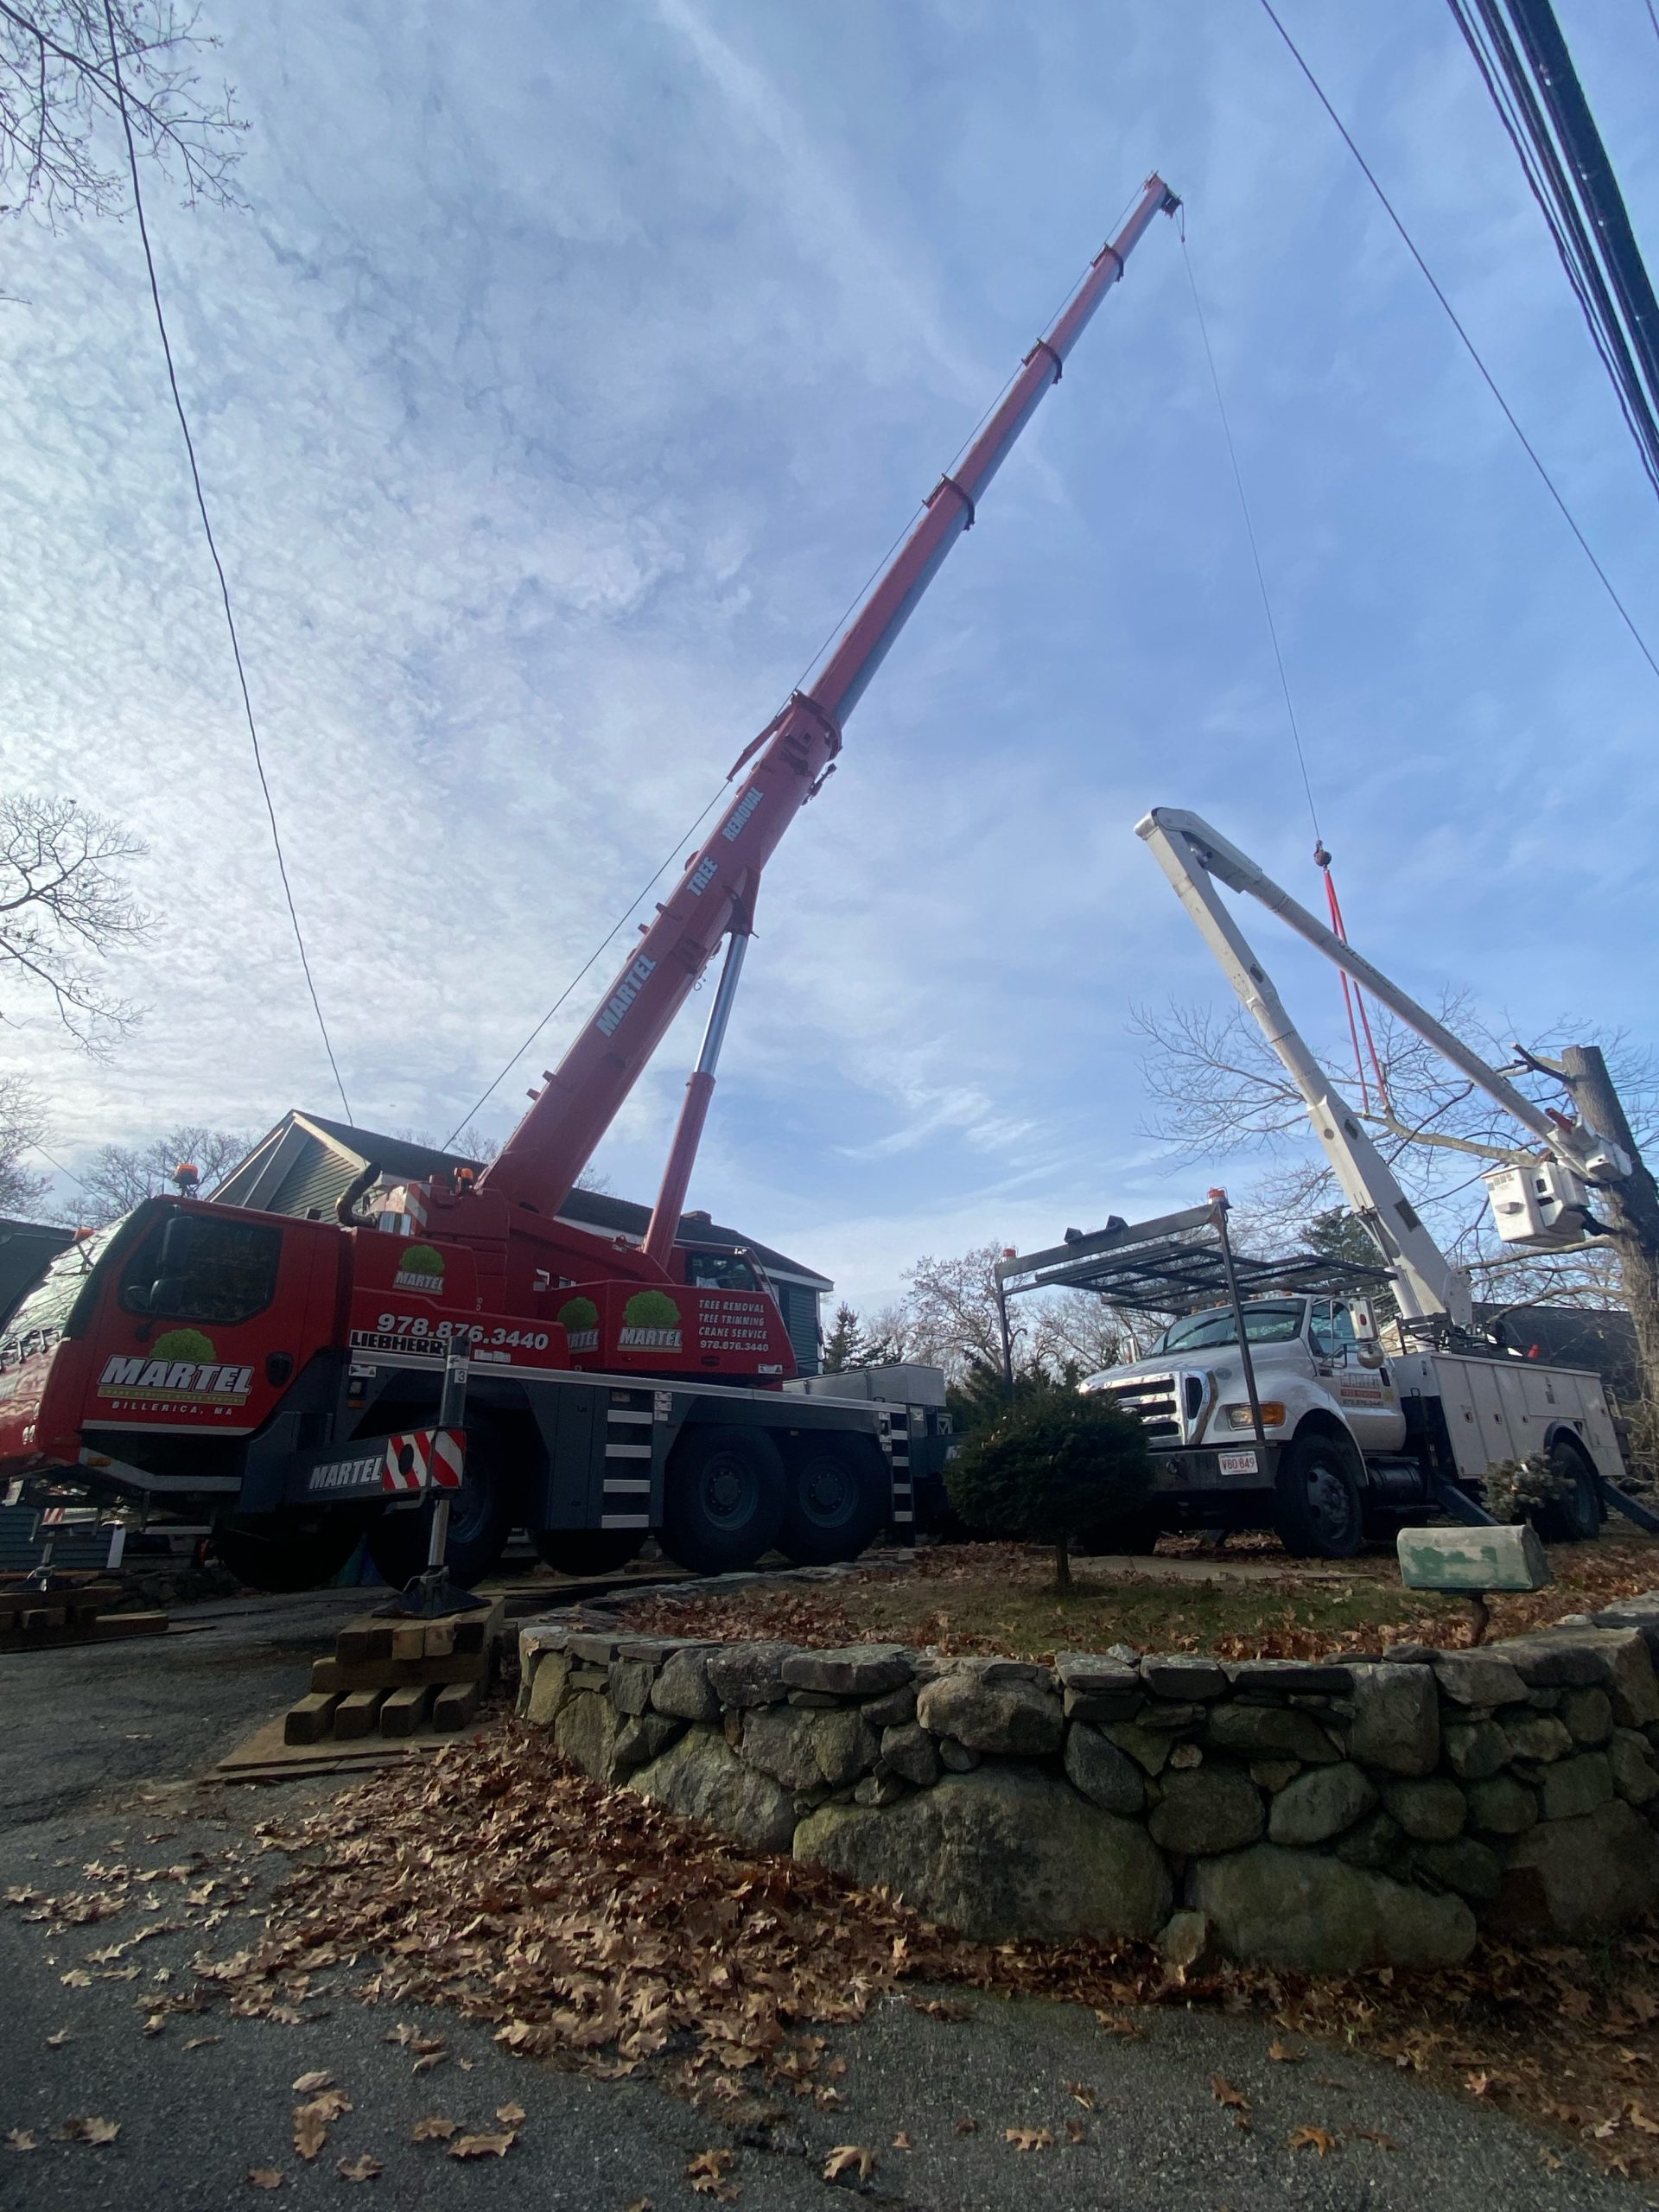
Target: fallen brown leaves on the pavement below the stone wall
596,1932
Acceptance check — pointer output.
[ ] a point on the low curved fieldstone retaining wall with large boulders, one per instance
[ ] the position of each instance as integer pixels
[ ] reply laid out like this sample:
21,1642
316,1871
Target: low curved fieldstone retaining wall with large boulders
1302,1815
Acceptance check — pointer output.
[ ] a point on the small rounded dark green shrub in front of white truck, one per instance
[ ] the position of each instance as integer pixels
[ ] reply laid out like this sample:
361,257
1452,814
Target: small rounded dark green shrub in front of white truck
1054,1468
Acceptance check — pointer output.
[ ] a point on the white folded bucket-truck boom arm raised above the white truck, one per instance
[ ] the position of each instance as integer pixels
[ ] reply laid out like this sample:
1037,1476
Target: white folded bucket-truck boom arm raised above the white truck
1428,1286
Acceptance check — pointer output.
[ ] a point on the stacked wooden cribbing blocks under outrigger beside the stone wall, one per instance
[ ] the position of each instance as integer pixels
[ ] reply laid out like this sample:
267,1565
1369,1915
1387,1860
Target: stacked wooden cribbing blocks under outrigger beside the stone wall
393,1680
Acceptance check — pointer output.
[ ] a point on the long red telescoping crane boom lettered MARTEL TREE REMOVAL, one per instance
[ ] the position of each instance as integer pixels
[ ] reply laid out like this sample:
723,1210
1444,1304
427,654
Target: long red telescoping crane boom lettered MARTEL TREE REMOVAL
778,773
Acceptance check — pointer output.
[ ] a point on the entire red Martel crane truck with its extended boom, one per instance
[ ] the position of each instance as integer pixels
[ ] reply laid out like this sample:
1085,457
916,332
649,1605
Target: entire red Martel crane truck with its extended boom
267,1373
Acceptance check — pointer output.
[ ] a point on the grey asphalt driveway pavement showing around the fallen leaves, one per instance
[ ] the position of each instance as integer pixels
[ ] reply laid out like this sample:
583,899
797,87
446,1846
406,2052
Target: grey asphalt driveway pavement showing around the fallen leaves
101,1760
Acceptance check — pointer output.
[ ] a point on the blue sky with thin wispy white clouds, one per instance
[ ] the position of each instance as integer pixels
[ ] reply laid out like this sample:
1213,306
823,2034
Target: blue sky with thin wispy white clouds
563,382
